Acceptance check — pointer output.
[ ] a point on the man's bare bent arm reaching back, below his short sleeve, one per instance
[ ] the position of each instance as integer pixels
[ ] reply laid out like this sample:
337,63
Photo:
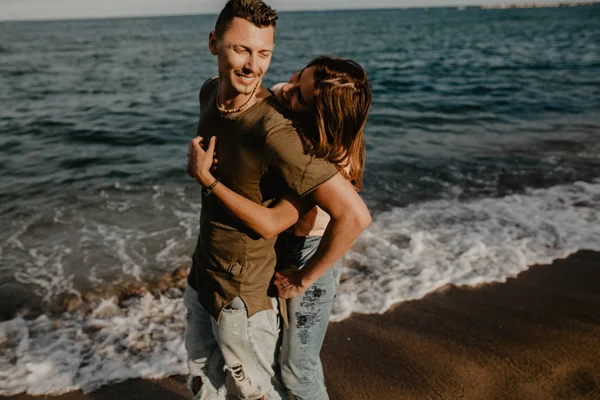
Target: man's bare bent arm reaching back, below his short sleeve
349,217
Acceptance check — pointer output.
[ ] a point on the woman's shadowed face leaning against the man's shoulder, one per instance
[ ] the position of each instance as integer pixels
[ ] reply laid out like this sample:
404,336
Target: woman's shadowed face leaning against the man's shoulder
297,94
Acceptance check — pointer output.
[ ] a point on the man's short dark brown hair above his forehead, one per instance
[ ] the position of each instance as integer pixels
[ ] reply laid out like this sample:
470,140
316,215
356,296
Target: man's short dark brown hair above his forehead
254,11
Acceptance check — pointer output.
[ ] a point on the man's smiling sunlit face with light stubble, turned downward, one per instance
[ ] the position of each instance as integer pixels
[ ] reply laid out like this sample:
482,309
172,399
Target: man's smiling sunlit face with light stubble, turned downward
244,54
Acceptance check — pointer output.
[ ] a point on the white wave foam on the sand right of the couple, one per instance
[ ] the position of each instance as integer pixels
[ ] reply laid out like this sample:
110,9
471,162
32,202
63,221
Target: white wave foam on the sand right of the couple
409,252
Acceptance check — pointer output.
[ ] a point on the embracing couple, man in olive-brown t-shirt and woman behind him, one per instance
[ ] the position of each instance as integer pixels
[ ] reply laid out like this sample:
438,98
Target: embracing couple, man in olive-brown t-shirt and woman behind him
280,168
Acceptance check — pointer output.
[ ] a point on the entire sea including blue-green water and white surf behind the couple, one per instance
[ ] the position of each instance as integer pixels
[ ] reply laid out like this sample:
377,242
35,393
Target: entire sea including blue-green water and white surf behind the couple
483,158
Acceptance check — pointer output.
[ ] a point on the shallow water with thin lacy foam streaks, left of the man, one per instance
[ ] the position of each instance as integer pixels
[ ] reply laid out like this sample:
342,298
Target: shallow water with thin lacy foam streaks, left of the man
74,249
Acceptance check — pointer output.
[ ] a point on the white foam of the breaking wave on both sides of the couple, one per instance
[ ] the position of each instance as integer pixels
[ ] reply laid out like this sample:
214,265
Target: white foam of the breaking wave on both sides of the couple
405,254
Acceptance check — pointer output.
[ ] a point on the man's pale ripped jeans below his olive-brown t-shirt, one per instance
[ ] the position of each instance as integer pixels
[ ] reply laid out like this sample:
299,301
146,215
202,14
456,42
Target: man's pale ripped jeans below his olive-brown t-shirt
246,348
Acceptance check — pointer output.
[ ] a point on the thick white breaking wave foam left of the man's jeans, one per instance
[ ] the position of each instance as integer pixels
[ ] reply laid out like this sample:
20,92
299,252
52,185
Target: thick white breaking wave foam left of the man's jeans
86,350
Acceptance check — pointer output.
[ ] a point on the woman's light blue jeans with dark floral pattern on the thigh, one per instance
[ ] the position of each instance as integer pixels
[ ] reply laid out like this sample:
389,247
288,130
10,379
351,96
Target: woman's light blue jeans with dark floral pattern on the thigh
308,314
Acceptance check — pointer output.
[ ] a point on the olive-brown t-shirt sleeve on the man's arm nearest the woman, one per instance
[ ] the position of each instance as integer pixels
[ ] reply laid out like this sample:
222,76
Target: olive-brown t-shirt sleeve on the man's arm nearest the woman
285,155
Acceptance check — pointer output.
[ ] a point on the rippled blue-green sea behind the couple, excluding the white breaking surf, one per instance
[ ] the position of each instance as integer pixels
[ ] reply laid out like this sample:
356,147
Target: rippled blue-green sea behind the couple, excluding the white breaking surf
96,116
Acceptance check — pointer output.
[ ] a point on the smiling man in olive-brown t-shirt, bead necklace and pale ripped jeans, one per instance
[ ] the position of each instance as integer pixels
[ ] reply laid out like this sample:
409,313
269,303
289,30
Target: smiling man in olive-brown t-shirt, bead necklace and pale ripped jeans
261,157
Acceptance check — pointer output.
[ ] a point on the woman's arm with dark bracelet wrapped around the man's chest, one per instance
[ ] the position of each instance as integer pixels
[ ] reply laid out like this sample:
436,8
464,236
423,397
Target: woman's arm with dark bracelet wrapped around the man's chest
266,221
